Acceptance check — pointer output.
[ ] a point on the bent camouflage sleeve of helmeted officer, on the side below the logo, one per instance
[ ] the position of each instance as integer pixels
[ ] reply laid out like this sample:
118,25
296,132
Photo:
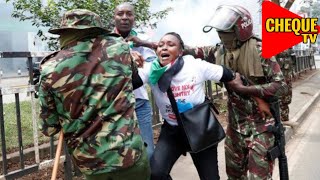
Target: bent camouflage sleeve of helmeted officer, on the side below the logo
276,86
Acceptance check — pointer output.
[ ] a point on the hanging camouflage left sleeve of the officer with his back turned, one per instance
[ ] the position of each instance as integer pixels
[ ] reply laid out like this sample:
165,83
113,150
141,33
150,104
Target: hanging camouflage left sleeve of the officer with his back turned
49,119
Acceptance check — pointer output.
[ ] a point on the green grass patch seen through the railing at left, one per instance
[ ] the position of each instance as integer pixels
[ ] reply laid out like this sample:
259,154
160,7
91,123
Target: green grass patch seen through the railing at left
11,128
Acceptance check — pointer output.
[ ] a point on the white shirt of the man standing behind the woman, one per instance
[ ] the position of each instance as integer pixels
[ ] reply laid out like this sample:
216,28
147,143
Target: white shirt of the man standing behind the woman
148,55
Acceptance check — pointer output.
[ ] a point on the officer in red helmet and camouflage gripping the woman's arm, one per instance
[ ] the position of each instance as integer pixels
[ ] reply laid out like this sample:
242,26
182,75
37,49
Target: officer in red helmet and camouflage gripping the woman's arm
248,139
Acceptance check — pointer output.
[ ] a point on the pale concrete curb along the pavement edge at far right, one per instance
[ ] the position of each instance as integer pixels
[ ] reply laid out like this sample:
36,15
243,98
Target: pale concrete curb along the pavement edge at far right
301,115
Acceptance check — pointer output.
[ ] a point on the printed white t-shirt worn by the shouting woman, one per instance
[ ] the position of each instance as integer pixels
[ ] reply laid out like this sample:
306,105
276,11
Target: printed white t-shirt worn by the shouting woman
187,85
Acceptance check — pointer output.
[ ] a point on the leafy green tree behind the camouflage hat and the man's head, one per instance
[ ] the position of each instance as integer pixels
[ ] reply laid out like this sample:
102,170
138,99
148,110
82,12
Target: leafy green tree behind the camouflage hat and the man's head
49,14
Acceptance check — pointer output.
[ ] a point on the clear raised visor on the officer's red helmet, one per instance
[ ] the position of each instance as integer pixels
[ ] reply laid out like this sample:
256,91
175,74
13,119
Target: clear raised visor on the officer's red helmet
223,19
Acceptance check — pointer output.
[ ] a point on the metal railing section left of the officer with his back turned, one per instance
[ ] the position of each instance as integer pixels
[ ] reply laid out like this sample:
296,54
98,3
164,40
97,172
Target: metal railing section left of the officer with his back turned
16,91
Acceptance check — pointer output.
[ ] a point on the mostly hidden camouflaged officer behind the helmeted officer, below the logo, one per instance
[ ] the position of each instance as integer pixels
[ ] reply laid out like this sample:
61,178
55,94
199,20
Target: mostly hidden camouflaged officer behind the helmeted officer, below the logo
286,64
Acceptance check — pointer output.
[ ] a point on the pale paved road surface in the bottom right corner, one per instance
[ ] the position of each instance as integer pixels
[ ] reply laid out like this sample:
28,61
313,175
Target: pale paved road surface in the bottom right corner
303,150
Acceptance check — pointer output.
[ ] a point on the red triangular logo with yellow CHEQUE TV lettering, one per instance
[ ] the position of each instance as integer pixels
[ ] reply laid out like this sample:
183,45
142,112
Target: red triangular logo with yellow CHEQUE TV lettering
282,29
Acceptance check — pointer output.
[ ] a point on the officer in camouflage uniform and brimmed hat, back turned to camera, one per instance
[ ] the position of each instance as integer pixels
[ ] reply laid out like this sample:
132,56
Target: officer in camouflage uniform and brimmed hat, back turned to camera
86,92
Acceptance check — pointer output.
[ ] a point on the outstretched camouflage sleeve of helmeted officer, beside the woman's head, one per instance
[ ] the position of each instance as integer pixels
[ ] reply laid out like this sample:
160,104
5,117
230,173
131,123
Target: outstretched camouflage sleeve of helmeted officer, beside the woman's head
205,52
